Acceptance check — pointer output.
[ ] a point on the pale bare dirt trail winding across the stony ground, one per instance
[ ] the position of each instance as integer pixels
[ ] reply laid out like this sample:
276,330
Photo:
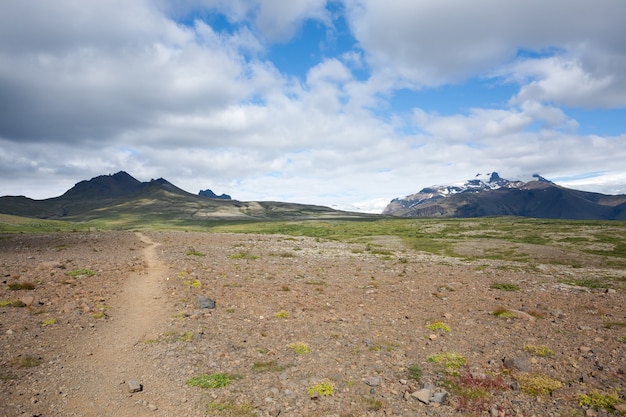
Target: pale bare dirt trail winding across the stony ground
97,379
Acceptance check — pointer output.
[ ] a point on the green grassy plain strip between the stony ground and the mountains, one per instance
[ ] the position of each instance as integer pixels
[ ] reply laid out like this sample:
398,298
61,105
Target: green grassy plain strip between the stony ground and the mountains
524,240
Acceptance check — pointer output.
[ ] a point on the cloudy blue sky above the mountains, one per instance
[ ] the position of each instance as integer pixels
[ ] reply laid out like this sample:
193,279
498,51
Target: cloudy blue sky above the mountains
345,103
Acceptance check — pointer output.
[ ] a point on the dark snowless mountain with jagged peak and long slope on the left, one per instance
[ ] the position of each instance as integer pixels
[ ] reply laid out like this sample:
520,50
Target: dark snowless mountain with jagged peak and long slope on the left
122,197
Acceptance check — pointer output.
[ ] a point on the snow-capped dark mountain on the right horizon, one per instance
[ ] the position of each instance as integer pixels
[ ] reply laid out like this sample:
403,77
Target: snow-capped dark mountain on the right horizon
491,195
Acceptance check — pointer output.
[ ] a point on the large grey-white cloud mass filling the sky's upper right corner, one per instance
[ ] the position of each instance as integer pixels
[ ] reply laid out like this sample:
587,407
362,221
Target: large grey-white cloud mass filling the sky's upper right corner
433,43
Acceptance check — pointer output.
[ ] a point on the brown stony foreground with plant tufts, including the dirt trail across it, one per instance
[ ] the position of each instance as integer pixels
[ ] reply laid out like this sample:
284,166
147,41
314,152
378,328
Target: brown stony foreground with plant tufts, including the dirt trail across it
300,327
